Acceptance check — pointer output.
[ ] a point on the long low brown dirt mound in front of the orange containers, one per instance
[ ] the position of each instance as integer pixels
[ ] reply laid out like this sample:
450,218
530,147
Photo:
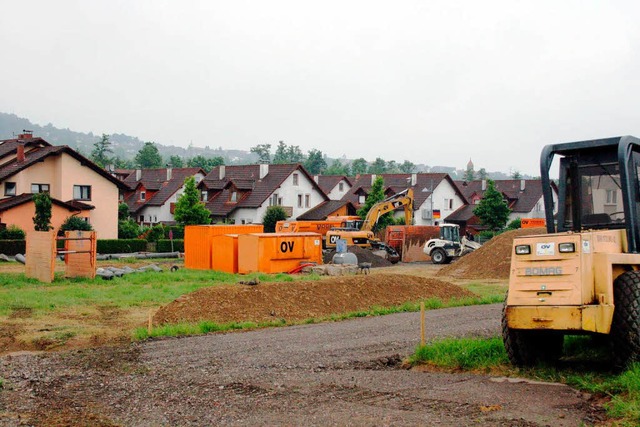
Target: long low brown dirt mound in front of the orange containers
301,300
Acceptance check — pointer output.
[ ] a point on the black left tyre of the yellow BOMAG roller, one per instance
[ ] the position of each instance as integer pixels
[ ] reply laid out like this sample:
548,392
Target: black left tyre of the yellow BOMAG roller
528,347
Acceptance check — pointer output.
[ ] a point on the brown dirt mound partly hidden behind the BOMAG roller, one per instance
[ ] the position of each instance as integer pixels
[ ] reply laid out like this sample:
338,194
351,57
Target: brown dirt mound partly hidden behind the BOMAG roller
492,260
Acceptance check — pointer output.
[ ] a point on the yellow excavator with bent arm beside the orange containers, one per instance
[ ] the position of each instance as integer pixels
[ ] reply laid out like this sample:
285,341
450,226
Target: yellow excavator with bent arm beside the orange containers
364,236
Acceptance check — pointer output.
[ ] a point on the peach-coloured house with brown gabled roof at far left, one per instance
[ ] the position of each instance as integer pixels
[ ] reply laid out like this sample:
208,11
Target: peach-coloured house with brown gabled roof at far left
77,186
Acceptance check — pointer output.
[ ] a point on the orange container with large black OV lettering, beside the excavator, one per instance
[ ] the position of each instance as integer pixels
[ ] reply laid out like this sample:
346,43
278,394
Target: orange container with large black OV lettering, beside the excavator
277,252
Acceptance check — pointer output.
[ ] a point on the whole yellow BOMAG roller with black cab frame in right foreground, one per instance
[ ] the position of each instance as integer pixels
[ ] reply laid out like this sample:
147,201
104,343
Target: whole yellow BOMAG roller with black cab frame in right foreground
583,276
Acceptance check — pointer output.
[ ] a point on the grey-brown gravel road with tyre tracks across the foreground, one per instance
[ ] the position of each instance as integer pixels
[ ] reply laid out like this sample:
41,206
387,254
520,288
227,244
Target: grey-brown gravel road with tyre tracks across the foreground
344,373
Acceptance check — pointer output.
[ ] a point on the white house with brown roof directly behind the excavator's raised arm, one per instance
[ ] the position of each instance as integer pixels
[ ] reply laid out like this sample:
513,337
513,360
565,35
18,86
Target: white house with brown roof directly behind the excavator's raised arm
435,194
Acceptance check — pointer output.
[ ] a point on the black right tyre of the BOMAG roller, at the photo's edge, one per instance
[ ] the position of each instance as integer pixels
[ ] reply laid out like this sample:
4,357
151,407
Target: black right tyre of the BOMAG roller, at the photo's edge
625,326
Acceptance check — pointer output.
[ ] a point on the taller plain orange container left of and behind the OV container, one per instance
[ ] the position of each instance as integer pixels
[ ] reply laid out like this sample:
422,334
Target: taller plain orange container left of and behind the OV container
198,241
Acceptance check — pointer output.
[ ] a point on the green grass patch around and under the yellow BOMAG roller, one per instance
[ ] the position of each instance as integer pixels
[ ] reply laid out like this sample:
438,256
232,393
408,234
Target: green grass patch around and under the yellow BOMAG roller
583,366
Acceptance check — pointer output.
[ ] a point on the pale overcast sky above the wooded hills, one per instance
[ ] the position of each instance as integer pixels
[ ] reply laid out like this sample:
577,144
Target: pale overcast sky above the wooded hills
430,82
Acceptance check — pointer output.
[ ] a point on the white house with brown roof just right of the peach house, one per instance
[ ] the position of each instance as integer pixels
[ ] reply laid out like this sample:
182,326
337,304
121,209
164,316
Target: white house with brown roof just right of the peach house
153,193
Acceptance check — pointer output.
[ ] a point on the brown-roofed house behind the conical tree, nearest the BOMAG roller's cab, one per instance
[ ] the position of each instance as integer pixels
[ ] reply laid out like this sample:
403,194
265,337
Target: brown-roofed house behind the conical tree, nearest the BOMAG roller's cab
523,196
